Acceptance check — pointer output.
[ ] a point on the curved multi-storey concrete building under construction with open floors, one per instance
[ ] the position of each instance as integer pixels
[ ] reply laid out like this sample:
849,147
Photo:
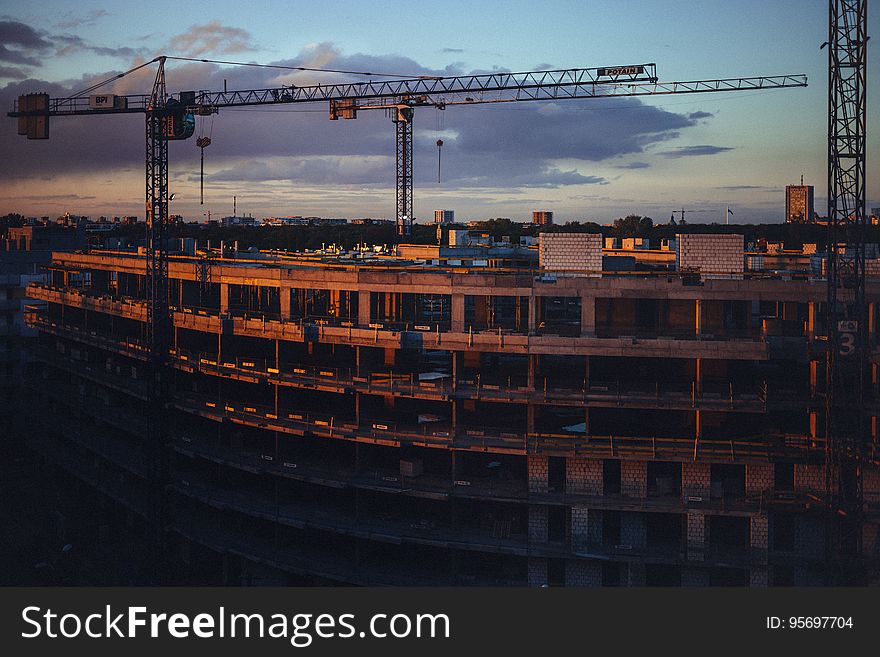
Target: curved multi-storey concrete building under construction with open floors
461,415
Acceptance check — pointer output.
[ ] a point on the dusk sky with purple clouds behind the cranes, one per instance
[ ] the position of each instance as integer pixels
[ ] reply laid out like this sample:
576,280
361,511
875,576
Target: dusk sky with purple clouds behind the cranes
585,160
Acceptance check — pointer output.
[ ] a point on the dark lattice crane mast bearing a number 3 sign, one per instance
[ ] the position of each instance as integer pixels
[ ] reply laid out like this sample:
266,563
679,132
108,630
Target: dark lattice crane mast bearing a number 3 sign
847,437
